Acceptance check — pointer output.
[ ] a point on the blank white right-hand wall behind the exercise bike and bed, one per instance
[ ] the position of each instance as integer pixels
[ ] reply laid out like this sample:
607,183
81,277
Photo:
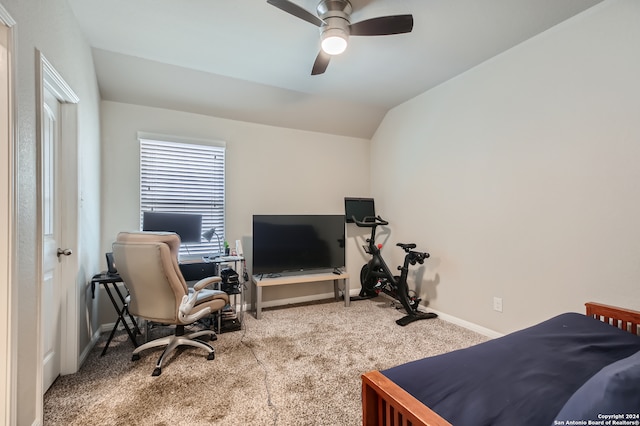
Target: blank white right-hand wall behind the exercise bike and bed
520,176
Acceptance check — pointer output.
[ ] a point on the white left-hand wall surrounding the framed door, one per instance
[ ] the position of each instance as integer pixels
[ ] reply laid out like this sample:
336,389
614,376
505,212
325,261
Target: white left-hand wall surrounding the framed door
50,27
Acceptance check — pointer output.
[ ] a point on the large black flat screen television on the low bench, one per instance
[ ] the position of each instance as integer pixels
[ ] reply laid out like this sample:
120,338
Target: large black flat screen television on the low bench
297,243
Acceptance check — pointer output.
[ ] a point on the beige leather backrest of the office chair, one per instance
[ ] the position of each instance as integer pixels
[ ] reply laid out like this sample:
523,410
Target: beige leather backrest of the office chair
148,265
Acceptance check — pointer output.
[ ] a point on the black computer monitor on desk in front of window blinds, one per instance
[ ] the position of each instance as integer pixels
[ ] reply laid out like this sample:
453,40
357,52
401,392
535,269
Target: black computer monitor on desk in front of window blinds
188,226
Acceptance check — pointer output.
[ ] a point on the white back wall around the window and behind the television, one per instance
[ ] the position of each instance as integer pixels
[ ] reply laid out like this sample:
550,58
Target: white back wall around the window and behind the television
269,170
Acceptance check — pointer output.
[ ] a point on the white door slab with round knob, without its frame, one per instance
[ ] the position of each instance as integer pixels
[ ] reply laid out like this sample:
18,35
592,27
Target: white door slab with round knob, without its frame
51,297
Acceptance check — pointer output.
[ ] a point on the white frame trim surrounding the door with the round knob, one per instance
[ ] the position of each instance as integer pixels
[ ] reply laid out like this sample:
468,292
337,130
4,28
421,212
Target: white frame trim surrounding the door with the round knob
47,76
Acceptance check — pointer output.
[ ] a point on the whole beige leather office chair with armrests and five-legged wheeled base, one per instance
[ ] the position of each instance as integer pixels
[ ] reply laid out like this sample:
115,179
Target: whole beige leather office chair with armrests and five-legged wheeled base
148,265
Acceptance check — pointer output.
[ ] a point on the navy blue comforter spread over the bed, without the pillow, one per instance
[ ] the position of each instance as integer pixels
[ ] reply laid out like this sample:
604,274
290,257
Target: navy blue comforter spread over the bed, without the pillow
523,378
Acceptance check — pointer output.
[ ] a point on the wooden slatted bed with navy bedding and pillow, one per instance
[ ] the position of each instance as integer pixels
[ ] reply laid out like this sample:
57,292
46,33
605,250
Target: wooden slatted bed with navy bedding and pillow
568,368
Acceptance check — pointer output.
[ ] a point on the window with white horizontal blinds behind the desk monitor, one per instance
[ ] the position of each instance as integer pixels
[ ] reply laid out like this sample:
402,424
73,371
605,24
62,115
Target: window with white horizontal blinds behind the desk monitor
185,176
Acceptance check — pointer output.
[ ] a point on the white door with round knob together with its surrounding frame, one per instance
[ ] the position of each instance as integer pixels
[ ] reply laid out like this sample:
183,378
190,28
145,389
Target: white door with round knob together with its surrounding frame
57,198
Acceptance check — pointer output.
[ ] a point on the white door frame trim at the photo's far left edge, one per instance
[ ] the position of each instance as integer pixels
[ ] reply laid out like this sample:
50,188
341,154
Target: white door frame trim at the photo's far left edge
8,323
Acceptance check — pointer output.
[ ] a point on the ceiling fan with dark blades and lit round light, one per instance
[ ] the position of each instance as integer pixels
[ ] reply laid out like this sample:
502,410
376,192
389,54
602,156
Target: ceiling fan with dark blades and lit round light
333,19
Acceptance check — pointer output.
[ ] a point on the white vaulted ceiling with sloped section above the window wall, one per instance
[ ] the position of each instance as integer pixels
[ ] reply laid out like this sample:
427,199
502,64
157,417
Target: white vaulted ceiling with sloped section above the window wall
248,60
